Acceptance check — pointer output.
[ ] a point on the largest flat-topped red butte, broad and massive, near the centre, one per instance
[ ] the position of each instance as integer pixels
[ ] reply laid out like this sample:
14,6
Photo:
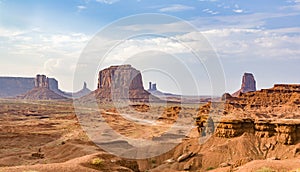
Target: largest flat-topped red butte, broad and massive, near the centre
120,83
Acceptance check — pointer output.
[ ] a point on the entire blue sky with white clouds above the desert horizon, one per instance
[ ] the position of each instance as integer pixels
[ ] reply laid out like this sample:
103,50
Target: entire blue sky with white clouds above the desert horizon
53,37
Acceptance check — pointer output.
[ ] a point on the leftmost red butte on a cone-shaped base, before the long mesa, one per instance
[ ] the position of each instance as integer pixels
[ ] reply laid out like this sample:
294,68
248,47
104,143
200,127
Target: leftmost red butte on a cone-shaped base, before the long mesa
41,91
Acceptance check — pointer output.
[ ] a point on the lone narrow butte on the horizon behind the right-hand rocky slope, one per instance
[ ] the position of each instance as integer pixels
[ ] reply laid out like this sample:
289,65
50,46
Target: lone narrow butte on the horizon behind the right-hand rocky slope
248,84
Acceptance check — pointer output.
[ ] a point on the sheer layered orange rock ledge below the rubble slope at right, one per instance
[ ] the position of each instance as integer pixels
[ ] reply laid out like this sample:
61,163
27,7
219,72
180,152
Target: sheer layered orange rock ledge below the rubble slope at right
285,131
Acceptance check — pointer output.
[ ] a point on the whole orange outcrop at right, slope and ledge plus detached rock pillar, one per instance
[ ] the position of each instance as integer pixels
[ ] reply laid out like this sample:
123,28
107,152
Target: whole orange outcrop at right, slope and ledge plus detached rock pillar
268,113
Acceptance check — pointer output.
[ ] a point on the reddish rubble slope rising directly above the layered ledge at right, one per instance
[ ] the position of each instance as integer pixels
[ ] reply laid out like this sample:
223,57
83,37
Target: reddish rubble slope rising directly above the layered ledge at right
281,101
